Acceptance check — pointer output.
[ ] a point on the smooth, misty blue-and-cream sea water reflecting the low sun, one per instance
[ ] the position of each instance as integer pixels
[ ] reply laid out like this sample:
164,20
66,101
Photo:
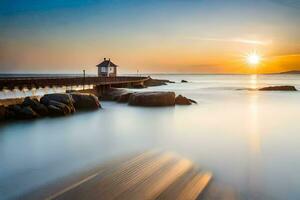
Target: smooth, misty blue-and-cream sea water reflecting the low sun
249,139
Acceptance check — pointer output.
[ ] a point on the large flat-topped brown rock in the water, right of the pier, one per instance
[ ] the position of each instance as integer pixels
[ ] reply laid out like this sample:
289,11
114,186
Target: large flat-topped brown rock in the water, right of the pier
152,99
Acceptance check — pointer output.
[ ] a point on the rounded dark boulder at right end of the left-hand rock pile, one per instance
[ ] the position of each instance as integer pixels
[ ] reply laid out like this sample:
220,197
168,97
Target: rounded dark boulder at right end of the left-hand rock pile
85,101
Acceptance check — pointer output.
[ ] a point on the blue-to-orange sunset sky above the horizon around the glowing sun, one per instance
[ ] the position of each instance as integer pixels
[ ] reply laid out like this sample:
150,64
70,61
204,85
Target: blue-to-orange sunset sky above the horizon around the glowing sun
163,36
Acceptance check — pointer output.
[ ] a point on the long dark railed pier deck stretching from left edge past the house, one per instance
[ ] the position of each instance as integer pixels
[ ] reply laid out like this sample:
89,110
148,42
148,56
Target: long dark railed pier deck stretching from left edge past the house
37,82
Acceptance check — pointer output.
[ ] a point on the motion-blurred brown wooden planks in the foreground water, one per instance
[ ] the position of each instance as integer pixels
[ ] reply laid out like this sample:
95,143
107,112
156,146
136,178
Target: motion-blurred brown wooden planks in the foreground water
148,176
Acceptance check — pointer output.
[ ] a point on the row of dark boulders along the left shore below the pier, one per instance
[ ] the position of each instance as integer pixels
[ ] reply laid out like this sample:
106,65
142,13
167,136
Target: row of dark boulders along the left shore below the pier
58,104
